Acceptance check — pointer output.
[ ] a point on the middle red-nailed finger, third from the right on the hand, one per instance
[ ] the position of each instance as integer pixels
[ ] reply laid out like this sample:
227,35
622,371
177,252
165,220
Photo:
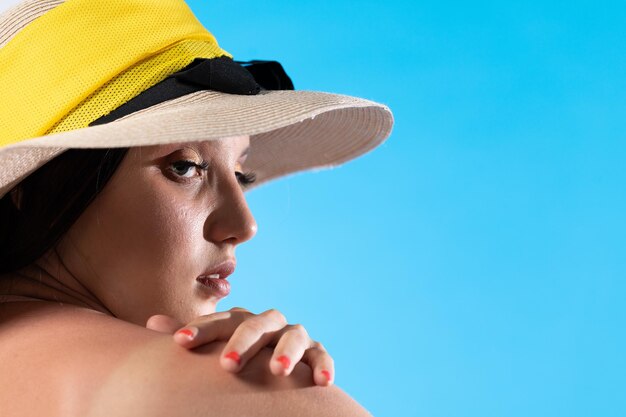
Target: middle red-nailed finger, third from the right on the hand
250,337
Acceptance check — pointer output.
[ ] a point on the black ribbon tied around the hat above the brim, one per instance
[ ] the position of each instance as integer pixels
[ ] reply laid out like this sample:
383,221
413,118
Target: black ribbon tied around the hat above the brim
217,74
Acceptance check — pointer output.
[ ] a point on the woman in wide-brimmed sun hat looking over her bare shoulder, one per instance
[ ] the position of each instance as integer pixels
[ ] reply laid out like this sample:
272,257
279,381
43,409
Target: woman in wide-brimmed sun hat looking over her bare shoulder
140,227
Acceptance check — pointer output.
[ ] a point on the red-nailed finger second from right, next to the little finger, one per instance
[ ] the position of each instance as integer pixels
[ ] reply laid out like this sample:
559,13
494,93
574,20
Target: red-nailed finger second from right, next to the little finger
293,341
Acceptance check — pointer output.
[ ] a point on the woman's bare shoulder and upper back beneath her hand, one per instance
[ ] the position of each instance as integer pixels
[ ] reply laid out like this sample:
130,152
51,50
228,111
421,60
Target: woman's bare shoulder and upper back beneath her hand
89,364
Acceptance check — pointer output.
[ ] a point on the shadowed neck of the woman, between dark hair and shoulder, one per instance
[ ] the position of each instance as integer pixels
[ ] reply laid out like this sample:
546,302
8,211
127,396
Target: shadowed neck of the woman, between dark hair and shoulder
49,279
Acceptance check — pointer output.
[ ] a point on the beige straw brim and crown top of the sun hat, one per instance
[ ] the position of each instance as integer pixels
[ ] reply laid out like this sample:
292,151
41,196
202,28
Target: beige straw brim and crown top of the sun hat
290,131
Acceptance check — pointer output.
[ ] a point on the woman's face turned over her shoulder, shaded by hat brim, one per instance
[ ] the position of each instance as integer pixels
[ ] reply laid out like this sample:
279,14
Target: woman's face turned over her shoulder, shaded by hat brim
158,224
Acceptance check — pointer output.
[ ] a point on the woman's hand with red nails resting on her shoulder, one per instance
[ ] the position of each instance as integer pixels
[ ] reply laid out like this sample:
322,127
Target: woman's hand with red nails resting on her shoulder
247,333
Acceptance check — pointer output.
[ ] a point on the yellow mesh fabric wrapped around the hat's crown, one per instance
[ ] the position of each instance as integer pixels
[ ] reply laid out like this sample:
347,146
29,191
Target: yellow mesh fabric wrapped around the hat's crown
84,58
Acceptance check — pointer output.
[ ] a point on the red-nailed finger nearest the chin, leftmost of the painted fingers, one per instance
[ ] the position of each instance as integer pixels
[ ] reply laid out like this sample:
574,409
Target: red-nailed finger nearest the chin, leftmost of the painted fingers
210,327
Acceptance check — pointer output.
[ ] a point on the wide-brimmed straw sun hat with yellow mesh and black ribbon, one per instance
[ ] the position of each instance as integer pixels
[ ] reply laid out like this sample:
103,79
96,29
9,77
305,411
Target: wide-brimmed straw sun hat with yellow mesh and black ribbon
124,73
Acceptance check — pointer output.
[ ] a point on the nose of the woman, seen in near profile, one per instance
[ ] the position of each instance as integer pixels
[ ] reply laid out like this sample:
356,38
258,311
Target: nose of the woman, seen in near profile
231,220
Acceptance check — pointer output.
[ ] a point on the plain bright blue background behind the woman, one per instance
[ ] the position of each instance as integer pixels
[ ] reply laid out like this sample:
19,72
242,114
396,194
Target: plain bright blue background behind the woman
473,264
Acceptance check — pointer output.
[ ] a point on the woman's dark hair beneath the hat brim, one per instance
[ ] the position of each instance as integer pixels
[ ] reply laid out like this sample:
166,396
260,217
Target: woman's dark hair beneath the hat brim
49,201
